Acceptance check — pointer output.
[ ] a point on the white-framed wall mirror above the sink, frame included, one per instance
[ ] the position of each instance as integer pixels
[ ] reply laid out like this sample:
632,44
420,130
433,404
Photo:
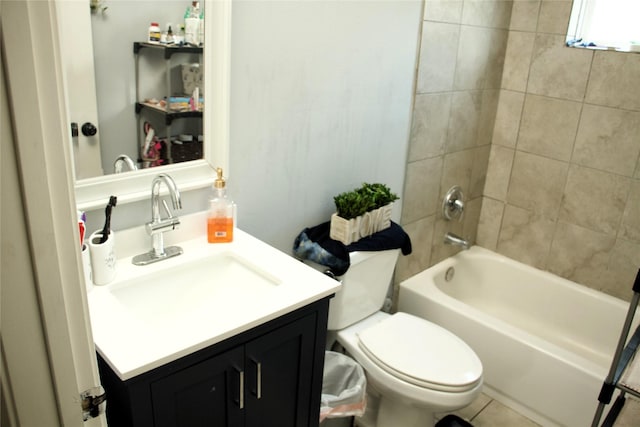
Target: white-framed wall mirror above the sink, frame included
95,180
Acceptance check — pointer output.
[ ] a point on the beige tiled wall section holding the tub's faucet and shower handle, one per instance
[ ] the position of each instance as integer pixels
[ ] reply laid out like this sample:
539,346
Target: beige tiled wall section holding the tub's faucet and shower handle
458,83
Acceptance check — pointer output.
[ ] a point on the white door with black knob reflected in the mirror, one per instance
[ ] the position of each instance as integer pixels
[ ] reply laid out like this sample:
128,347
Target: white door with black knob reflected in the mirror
74,26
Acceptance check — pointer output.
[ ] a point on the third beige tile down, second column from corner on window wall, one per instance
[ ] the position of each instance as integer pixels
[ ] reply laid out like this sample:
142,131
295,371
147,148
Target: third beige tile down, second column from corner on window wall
549,126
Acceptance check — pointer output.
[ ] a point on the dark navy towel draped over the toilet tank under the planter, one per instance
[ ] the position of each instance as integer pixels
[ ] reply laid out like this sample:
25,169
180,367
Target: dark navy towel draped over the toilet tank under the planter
315,245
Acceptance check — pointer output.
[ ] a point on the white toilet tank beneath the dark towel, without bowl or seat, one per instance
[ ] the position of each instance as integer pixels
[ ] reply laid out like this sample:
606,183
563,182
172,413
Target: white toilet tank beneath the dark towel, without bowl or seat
364,287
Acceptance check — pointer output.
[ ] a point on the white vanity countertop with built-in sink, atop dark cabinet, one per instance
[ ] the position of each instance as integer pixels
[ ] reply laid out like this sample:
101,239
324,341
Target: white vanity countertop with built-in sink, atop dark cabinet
135,341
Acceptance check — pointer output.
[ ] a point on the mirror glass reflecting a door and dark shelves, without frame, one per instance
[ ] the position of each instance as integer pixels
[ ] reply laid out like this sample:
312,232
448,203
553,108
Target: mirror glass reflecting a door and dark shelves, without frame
148,84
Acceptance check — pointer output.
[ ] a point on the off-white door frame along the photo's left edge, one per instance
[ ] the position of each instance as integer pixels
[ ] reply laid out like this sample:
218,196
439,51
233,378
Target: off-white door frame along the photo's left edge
40,236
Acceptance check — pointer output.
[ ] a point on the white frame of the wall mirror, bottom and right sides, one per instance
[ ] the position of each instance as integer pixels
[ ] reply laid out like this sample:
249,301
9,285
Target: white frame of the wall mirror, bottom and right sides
93,193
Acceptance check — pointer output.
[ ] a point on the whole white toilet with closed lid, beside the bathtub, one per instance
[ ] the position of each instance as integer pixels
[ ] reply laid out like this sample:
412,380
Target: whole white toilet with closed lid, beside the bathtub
414,368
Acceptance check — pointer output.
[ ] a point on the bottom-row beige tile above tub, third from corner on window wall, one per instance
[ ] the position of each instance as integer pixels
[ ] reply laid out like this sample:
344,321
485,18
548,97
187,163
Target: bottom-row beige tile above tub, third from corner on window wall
580,255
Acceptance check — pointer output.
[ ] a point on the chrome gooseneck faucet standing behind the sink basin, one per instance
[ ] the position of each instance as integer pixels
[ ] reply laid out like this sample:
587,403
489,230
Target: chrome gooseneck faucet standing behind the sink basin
159,225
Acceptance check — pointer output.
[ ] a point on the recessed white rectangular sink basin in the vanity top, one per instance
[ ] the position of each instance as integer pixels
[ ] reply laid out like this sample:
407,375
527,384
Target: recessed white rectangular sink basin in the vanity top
195,290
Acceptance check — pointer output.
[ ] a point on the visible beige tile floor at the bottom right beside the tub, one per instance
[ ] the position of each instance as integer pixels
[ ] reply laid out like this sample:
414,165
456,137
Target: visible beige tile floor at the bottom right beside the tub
487,412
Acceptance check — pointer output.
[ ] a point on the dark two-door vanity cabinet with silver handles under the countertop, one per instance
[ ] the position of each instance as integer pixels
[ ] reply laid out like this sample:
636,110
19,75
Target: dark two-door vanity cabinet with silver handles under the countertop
270,375
